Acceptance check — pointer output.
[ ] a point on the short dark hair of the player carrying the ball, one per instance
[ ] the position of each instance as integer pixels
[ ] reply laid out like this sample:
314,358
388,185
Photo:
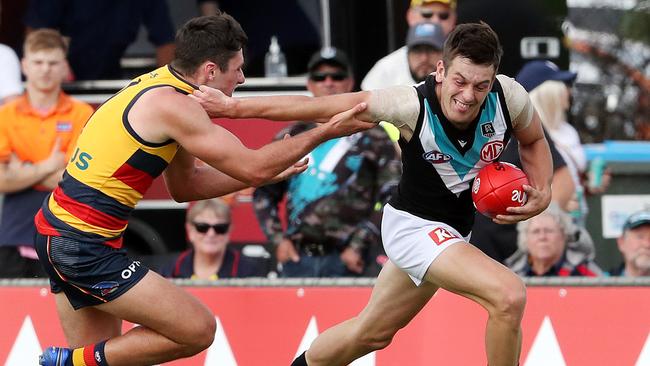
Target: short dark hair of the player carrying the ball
475,41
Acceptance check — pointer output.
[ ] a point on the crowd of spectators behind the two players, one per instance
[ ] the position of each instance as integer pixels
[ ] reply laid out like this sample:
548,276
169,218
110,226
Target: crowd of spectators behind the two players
333,209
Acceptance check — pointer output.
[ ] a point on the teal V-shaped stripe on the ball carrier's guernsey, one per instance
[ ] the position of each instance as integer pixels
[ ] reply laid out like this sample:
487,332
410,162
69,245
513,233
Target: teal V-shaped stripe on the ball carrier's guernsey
462,164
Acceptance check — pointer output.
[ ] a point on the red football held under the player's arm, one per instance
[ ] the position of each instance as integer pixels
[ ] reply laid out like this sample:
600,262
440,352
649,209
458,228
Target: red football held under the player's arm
497,187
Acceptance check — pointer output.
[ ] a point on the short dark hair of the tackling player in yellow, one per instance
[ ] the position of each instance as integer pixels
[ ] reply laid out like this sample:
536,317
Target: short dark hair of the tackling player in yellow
216,38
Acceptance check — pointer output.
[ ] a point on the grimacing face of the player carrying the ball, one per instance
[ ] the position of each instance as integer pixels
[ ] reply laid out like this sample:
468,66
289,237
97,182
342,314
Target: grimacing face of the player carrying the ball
462,88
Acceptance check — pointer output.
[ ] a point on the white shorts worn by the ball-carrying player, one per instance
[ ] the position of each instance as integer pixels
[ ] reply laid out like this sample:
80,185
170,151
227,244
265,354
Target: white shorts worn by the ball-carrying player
412,243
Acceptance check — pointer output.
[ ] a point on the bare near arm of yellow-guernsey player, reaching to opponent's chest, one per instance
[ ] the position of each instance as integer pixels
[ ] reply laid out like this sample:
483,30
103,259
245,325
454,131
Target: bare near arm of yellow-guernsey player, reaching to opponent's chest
187,123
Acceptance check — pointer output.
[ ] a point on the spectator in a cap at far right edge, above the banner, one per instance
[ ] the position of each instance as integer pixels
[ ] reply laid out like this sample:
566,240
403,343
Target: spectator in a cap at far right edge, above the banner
634,244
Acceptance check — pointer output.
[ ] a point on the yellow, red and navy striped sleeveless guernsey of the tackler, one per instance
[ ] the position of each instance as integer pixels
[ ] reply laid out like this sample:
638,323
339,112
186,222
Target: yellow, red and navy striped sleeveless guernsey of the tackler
110,170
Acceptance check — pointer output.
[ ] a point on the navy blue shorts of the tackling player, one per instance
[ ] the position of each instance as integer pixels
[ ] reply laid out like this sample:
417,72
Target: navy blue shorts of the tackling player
88,273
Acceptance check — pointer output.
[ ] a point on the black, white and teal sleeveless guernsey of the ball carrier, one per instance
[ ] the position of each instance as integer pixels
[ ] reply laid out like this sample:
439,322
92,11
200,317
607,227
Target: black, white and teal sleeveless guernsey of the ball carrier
440,162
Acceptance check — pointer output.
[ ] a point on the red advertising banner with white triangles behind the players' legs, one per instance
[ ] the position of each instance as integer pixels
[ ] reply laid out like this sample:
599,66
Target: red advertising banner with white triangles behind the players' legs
269,326
